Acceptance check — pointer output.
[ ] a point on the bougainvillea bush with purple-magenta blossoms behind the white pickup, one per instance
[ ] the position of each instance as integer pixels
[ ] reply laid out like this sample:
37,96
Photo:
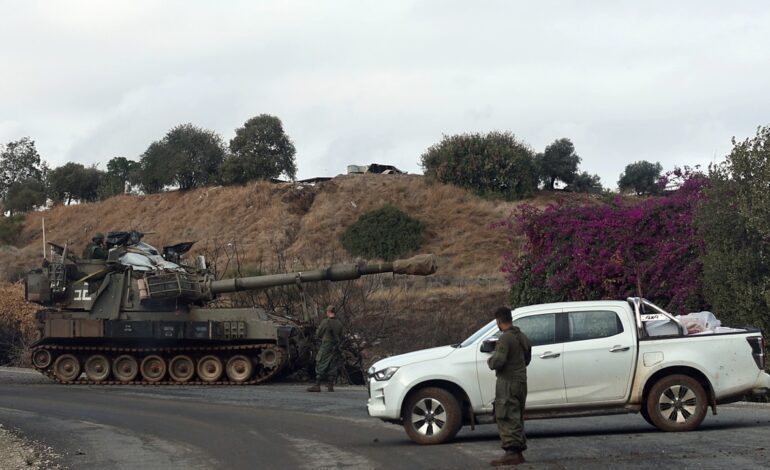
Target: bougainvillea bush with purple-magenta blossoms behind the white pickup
610,251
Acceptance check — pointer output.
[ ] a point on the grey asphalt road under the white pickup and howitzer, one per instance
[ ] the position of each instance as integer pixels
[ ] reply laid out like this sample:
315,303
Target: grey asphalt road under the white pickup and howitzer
282,426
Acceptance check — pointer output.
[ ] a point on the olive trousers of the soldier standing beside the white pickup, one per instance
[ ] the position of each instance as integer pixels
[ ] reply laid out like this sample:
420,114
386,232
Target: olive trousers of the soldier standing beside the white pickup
510,398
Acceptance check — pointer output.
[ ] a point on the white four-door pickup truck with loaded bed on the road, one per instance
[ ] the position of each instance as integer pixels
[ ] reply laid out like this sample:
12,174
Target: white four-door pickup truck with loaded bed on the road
588,358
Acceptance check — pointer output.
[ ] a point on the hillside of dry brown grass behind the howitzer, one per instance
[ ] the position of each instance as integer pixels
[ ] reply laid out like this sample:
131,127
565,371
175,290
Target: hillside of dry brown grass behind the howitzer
289,227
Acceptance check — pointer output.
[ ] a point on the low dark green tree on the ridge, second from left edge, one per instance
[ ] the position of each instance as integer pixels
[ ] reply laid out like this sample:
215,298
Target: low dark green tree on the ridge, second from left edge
74,181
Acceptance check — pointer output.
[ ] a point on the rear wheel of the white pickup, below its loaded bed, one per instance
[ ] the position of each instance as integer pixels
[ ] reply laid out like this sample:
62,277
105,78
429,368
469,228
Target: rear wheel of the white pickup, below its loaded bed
677,403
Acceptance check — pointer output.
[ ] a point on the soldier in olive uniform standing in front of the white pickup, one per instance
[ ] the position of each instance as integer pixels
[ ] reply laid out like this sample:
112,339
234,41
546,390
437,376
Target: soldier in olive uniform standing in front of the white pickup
512,355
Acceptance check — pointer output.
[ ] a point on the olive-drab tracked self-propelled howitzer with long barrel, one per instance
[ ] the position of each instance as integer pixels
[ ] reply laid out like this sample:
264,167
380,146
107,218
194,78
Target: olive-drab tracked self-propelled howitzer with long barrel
141,317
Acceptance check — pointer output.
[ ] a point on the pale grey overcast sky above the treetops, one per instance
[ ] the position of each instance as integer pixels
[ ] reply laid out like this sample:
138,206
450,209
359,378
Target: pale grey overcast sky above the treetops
358,82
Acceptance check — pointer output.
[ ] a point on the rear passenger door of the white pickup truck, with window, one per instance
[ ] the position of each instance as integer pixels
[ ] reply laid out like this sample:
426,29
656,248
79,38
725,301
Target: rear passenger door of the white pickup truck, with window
599,354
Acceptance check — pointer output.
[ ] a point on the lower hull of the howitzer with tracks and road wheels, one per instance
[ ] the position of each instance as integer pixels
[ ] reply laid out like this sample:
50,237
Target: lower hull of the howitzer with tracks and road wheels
197,347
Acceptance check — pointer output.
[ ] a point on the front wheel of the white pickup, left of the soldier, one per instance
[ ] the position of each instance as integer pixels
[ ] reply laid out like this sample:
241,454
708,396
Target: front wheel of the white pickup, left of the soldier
432,416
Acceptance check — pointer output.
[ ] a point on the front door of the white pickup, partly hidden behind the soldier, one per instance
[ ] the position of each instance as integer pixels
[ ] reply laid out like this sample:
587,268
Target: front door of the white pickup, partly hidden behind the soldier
545,379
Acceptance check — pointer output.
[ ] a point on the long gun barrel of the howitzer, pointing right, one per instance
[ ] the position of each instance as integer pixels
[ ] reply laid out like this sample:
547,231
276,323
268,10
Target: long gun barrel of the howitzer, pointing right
420,265
